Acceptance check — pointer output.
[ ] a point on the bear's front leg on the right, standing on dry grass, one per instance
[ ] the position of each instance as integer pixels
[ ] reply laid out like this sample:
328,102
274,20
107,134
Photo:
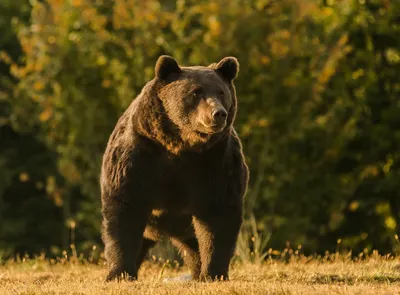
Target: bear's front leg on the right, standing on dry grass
217,232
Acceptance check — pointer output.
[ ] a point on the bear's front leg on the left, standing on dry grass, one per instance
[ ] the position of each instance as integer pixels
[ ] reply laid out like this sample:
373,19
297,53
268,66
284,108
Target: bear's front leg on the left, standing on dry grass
123,227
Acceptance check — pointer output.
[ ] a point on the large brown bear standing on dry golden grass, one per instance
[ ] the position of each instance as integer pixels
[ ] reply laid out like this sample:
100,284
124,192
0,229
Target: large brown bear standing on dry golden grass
174,167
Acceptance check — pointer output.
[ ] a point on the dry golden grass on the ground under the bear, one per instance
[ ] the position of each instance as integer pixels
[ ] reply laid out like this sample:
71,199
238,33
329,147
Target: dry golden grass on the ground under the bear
375,275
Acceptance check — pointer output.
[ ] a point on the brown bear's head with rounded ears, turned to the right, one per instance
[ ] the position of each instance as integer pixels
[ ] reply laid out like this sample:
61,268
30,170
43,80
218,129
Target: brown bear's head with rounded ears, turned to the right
200,101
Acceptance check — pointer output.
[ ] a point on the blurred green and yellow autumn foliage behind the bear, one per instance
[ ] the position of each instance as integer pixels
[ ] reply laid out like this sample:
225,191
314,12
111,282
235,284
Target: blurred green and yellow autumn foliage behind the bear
319,112
